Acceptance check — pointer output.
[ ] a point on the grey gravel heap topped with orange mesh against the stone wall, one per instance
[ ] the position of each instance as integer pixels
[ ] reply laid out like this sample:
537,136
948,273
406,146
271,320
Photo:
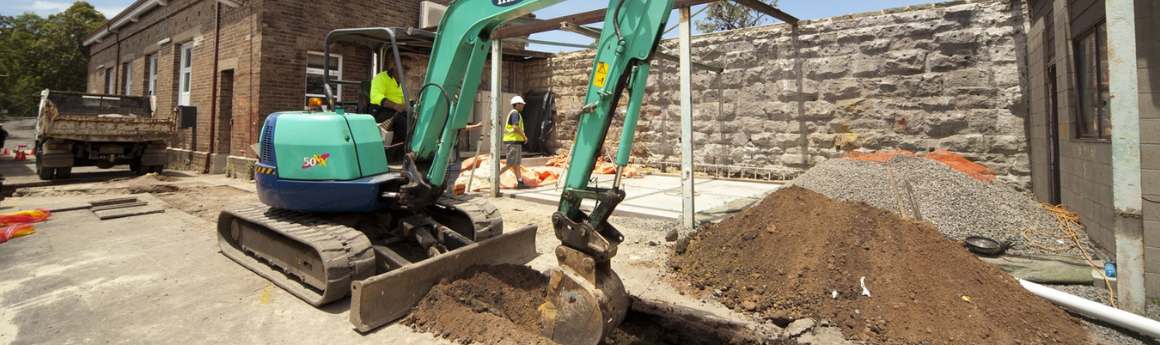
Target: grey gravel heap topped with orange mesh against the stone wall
956,204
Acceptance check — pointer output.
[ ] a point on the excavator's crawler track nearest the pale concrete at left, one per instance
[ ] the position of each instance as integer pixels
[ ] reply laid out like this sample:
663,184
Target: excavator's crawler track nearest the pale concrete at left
345,251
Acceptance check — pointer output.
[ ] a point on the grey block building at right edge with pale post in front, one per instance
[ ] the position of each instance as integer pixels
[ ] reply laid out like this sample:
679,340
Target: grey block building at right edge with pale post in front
1096,127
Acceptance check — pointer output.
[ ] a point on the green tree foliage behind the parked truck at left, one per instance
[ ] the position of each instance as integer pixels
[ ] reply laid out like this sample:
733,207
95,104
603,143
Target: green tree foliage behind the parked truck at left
39,54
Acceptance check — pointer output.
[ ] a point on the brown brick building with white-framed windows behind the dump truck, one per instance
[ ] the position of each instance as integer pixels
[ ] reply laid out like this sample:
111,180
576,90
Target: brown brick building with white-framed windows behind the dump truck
234,61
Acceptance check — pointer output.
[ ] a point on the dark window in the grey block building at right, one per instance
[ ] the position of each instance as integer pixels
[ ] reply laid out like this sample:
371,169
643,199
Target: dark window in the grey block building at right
1094,118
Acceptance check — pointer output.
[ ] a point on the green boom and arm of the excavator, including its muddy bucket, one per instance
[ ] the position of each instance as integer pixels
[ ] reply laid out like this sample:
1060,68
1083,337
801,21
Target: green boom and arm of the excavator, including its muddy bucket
586,299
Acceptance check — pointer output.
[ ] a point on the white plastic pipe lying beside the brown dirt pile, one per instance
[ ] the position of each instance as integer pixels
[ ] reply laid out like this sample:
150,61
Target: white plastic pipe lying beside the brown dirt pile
1134,322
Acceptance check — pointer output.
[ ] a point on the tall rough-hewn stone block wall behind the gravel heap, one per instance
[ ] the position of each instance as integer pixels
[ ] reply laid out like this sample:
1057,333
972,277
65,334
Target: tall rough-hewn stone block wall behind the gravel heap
947,76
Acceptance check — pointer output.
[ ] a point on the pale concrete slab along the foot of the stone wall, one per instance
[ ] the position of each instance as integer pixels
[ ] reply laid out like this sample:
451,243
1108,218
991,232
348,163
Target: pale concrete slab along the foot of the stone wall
659,196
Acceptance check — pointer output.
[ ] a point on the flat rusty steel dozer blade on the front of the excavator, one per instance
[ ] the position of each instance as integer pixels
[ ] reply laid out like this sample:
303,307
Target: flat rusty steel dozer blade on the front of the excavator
389,297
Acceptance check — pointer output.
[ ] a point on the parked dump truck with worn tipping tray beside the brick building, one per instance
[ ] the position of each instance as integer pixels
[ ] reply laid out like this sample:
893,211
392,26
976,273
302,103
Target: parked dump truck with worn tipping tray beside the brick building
103,131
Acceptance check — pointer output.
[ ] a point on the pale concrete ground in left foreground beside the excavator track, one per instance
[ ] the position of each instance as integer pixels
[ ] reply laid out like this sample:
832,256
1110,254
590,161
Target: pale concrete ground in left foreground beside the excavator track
154,279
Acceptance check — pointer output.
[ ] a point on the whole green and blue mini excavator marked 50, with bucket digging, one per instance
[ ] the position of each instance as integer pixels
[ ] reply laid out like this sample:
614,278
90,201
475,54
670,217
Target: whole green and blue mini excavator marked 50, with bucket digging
337,220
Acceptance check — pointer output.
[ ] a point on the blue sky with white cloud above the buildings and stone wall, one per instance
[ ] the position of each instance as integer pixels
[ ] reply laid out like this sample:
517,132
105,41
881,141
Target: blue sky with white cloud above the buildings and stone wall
803,10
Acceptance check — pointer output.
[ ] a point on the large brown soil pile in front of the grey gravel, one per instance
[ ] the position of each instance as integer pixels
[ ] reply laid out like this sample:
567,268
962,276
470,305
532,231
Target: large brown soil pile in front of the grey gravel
801,255
